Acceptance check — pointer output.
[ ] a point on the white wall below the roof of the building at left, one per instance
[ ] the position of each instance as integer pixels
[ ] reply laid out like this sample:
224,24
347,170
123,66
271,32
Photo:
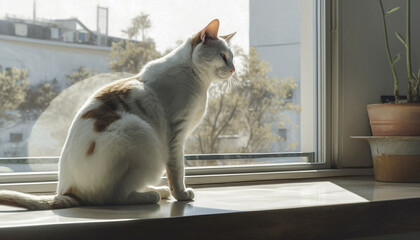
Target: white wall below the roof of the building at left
46,60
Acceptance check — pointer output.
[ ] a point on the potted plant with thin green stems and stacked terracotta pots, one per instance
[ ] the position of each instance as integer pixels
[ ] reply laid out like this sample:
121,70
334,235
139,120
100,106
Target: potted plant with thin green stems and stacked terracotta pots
395,144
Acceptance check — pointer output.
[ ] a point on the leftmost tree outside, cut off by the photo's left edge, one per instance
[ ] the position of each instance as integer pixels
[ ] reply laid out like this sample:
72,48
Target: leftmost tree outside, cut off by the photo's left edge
13,85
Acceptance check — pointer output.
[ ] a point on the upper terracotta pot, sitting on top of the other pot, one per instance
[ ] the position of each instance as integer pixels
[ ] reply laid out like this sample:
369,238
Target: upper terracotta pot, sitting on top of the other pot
394,119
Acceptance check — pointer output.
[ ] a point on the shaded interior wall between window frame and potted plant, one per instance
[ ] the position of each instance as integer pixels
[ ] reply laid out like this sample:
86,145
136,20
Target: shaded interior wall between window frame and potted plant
364,73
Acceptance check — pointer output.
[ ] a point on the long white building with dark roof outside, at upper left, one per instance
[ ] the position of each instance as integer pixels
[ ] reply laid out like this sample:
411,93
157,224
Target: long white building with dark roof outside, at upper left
51,50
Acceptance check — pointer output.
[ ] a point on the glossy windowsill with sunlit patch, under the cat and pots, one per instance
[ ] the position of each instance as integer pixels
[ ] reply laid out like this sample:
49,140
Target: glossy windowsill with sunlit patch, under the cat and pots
283,208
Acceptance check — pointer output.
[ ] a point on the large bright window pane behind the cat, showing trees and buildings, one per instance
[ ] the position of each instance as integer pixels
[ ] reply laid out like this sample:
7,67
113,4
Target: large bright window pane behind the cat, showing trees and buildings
56,54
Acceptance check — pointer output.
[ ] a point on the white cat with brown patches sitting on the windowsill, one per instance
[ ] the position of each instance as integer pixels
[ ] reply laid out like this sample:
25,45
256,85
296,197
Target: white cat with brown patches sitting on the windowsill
128,132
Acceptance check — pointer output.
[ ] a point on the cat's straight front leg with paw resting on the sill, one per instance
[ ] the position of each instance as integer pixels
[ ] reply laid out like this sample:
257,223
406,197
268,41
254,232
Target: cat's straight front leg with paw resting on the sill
176,176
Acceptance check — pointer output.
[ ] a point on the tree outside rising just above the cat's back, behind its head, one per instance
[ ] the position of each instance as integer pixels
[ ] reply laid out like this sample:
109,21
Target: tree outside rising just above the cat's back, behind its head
130,55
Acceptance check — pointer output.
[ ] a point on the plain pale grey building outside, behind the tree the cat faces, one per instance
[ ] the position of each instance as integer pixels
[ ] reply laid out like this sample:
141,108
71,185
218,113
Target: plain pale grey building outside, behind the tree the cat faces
281,48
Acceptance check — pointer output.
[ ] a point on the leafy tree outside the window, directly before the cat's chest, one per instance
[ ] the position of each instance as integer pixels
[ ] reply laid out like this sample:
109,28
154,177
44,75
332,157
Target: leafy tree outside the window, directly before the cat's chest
246,115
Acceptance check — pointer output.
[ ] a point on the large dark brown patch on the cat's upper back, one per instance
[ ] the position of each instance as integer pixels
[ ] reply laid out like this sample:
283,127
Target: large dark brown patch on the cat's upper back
111,97
